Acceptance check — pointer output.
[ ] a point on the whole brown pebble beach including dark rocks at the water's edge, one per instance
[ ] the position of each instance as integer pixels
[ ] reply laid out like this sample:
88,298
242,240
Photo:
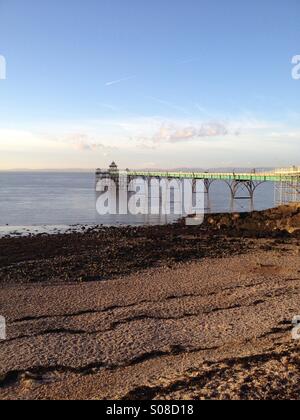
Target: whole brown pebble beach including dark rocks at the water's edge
170,312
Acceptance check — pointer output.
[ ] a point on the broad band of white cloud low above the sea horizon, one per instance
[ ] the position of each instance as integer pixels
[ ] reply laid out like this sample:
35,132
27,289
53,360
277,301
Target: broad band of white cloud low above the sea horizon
155,140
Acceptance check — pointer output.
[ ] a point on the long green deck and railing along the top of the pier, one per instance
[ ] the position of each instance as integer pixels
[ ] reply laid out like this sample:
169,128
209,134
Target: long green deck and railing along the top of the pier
255,177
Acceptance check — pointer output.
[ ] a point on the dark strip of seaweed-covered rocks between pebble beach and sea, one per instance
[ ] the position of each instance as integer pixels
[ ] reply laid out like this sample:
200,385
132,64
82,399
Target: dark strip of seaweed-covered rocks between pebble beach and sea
102,253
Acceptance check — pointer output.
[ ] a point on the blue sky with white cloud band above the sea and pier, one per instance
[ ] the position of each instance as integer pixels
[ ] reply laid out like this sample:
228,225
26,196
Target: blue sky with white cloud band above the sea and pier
149,84
